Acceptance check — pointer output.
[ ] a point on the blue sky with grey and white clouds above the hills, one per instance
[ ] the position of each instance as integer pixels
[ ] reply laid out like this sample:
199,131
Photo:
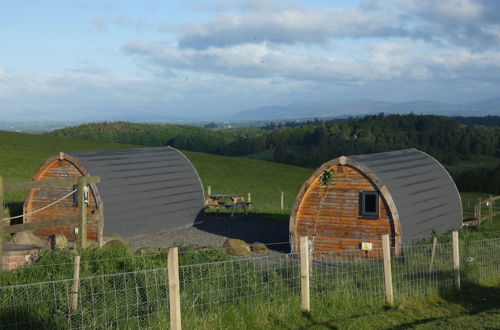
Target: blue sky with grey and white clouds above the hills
199,60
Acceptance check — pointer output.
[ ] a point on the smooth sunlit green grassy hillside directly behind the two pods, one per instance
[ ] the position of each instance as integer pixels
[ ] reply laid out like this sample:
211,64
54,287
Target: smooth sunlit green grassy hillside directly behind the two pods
22,154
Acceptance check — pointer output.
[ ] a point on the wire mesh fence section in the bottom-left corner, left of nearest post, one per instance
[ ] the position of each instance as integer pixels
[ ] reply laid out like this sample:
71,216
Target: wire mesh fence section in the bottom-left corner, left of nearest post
125,300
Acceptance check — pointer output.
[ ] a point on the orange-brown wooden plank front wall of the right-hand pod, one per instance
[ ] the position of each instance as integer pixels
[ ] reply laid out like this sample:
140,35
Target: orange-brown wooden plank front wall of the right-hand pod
330,214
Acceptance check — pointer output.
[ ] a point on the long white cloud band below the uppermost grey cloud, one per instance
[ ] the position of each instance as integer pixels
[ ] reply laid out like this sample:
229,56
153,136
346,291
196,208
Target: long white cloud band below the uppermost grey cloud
402,60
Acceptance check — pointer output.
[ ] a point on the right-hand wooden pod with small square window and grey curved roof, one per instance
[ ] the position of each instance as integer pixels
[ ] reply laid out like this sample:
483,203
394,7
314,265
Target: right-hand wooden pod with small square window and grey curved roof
405,193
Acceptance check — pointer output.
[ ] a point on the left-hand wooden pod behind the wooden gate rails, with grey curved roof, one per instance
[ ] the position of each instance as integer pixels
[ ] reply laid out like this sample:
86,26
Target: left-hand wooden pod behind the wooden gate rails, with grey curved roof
143,190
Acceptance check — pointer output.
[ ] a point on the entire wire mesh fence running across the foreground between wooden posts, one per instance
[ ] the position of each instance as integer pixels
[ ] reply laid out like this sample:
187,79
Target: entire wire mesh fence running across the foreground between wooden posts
210,289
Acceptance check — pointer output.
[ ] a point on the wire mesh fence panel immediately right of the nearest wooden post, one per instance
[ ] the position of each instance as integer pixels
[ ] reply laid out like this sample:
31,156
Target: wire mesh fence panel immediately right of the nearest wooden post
209,288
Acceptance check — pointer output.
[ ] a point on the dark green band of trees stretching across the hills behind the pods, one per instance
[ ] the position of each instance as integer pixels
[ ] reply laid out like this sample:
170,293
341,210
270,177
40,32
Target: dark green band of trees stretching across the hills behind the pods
312,143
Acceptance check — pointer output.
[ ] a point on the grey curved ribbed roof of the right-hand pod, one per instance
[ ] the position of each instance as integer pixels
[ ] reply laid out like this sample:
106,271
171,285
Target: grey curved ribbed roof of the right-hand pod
425,195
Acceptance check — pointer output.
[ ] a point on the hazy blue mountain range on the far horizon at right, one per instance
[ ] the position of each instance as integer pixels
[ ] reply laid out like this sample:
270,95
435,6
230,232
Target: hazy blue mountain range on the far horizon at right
364,107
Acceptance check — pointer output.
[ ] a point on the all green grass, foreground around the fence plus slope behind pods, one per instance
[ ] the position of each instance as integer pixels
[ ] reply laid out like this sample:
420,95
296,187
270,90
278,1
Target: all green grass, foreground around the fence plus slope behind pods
245,303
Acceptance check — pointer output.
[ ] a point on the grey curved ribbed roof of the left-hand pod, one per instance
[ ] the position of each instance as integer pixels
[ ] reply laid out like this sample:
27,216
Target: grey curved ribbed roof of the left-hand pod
145,190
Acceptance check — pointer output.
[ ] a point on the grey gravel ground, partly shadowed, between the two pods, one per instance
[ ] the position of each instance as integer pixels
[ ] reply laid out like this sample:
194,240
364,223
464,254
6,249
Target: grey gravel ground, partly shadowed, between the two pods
217,229
